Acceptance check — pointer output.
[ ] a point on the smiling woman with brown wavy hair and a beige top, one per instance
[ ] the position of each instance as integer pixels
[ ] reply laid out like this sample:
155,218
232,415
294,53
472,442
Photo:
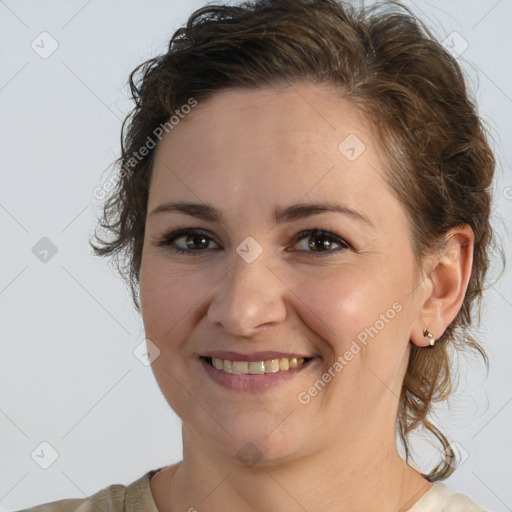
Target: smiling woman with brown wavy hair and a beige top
304,206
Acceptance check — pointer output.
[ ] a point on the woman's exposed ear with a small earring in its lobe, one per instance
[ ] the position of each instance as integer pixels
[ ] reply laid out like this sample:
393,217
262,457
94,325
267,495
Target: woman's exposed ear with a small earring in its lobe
445,285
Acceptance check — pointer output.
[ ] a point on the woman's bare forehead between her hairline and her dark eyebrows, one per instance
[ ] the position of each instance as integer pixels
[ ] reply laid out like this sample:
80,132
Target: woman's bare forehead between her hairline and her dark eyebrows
270,146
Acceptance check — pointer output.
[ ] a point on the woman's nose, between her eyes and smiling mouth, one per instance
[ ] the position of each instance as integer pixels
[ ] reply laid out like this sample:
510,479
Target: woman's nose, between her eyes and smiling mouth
249,298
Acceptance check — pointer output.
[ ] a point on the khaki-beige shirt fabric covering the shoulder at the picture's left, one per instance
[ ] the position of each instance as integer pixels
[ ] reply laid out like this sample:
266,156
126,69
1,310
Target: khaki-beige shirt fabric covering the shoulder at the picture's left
114,498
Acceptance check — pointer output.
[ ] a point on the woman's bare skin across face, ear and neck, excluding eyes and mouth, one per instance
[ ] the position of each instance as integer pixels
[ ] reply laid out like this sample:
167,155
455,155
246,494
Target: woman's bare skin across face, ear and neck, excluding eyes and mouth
246,153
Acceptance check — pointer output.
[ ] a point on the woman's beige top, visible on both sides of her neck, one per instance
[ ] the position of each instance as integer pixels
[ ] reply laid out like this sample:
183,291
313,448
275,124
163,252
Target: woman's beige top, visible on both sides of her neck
137,497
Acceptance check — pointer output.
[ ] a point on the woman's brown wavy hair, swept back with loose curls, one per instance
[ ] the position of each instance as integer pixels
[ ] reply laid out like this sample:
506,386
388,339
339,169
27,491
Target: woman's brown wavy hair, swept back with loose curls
384,60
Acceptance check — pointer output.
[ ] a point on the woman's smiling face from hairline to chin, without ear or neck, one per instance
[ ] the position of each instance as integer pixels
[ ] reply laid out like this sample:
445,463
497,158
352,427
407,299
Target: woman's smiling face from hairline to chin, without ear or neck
256,284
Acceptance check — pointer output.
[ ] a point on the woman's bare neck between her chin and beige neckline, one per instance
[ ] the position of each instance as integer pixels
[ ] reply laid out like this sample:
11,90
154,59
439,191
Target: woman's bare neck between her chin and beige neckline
354,476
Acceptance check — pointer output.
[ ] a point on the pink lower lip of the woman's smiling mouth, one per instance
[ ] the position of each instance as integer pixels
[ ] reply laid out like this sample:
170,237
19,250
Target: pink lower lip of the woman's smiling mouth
251,382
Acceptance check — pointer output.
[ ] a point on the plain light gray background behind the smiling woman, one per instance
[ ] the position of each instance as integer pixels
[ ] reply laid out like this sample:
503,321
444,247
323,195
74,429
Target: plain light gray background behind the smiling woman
68,375
